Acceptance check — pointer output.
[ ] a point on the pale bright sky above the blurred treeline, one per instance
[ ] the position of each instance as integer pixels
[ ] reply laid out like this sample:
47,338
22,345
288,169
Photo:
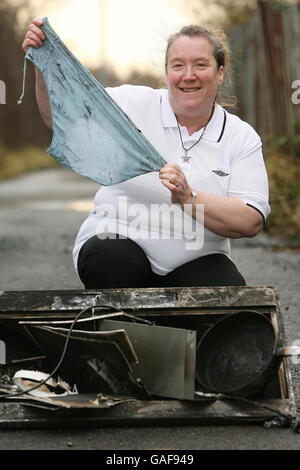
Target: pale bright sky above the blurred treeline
126,34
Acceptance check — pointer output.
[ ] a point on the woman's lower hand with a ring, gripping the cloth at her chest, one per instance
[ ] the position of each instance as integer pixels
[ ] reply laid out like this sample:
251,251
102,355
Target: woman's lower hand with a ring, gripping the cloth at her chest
174,179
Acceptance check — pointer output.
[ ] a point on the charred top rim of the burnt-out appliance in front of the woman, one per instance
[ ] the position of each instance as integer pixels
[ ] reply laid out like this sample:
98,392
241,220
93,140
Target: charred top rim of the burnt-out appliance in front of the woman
43,304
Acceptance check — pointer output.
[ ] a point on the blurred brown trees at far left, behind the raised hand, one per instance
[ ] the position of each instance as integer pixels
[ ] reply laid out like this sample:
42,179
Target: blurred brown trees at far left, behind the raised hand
19,125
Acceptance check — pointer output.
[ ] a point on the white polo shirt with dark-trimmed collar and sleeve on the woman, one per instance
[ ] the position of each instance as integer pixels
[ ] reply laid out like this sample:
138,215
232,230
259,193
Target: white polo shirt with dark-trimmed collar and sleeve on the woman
227,161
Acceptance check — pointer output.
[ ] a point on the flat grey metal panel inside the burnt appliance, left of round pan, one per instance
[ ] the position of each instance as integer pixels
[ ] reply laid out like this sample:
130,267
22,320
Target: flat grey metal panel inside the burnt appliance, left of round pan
166,357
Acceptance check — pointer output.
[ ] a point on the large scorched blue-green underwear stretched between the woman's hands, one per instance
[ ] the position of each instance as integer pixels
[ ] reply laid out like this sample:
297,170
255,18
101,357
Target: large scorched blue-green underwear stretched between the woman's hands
91,134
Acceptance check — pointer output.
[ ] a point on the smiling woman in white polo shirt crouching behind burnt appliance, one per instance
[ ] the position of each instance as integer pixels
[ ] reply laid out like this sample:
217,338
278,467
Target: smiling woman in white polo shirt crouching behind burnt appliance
214,160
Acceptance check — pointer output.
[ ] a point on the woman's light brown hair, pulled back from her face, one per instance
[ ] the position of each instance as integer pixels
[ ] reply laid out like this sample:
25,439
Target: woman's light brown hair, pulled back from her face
221,54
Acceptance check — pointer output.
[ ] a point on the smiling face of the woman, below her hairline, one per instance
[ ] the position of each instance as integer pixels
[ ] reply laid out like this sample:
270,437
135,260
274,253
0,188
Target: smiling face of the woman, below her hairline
192,76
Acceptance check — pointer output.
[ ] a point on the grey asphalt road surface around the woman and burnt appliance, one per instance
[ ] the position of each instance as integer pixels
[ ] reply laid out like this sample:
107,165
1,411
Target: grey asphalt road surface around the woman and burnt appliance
40,215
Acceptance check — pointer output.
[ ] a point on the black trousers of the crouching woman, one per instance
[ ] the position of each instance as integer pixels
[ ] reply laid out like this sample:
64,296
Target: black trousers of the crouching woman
120,262
